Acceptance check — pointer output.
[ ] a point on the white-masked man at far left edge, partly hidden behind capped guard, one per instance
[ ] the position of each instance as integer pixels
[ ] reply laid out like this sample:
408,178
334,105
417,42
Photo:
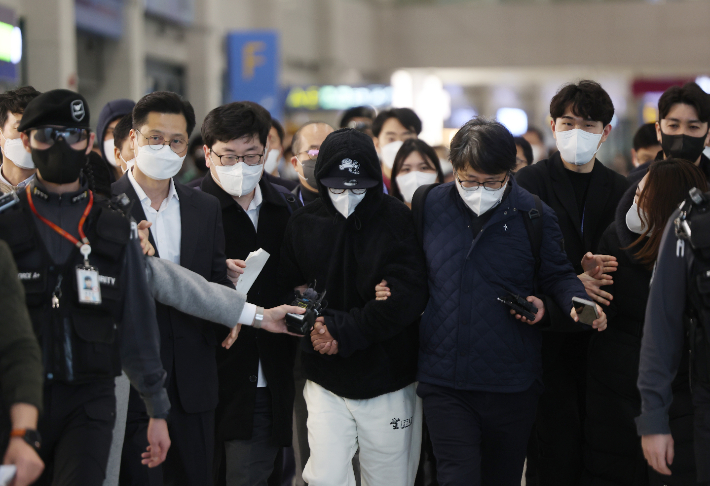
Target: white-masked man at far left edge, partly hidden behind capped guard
17,168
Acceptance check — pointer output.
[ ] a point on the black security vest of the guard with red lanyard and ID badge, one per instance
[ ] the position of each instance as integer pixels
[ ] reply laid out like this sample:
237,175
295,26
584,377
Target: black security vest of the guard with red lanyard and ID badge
79,341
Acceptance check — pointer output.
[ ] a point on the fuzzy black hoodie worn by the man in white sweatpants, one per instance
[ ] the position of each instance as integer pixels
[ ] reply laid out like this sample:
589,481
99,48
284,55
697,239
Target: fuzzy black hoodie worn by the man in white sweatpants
377,340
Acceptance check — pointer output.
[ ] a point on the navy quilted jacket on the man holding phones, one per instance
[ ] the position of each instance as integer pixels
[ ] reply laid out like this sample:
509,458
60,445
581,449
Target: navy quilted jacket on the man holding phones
468,339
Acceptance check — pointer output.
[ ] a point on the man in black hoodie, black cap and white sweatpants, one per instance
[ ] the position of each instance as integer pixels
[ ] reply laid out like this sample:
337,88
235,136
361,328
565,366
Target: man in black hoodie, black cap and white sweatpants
360,360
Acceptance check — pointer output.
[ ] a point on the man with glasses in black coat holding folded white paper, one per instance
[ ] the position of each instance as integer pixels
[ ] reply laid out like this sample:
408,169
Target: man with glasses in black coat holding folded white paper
256,391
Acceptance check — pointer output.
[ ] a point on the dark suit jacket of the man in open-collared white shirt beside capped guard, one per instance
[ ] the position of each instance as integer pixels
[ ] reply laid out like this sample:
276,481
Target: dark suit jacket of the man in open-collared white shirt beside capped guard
188,344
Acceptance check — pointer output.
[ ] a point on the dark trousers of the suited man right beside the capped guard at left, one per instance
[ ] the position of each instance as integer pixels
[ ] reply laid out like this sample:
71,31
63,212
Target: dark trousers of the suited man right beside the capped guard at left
189,460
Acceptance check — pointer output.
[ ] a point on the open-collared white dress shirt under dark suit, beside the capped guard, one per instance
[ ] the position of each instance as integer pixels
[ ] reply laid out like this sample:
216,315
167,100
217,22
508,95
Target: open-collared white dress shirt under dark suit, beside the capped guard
167,224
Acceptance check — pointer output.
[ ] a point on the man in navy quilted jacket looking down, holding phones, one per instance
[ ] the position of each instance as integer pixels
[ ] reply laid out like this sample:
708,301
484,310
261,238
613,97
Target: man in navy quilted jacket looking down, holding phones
480,369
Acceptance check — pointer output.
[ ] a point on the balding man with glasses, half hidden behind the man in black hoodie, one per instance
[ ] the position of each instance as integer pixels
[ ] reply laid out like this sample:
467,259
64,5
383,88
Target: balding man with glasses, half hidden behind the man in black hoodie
305,146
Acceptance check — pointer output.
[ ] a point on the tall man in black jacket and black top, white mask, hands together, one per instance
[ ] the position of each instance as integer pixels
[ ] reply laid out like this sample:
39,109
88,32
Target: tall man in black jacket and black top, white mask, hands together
584,195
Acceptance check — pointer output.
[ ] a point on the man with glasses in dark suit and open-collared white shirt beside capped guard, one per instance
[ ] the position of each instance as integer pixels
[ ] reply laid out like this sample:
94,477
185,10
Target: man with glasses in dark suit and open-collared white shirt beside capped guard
187,230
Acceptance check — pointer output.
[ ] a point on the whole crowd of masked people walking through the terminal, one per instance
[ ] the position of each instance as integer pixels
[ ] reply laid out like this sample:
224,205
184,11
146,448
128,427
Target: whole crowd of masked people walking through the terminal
470,318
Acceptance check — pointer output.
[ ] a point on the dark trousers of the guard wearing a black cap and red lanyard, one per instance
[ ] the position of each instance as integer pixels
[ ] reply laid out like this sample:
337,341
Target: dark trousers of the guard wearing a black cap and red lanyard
76,430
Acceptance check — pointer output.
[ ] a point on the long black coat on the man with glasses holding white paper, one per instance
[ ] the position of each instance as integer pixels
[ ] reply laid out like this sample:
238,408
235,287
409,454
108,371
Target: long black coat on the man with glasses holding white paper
238,366
